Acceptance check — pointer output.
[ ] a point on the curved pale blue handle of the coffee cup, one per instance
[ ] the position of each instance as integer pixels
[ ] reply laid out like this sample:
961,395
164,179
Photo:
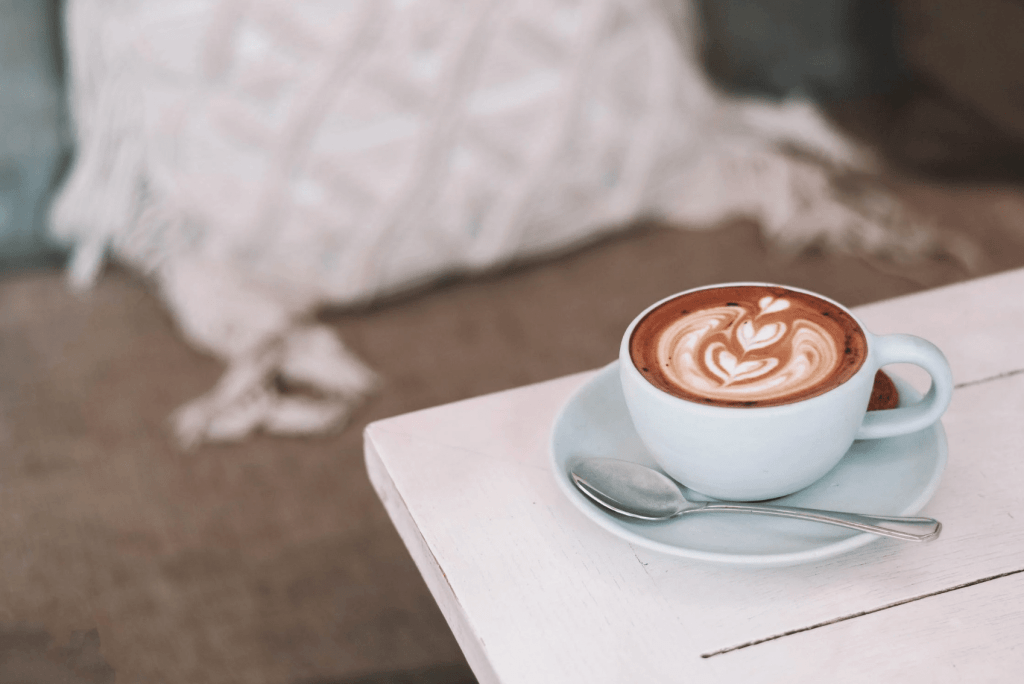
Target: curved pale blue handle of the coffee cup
910,350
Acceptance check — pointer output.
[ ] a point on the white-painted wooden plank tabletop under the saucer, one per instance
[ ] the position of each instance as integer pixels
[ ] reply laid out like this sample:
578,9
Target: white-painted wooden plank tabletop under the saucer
535,591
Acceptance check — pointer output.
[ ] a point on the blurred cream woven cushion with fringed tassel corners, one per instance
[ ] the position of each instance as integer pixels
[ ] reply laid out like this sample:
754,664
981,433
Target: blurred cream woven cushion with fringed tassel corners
262,158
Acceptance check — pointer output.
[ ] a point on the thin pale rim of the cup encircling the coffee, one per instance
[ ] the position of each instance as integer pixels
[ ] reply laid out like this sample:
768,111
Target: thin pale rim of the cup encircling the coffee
626,360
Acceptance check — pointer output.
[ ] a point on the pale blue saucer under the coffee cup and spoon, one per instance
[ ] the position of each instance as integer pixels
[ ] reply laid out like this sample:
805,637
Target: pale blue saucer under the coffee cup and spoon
895,477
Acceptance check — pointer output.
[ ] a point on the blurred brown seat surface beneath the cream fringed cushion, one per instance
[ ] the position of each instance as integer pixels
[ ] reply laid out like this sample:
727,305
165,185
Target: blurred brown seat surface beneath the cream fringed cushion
273,561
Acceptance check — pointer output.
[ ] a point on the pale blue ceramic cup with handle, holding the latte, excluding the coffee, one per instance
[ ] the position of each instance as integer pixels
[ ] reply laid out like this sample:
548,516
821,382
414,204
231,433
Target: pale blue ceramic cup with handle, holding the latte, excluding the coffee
753,454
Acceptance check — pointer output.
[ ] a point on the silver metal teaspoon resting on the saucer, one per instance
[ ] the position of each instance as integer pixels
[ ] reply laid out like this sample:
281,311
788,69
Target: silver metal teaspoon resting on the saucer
639,492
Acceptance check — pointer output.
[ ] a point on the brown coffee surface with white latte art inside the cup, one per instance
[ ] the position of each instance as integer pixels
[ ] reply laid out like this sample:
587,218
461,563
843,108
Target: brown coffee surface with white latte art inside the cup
748,347
